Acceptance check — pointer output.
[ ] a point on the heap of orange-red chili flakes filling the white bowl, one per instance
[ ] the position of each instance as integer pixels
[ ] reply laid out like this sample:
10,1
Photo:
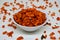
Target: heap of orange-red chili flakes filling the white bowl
29,17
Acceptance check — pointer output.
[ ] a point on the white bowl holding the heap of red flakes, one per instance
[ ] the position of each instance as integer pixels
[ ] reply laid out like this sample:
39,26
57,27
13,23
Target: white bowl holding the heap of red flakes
26,28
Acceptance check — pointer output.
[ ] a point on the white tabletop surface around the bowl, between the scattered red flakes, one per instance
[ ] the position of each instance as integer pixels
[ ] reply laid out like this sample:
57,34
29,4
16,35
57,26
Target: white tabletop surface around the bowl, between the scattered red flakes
30,35
